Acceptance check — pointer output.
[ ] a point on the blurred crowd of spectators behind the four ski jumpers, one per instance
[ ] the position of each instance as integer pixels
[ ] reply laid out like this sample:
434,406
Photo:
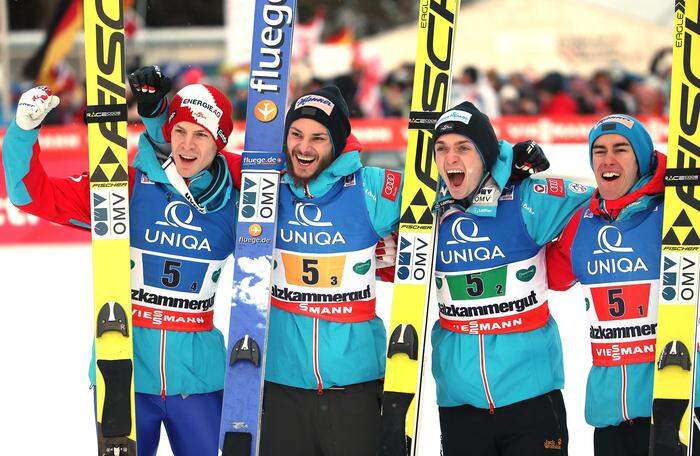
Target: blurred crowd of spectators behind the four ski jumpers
496,93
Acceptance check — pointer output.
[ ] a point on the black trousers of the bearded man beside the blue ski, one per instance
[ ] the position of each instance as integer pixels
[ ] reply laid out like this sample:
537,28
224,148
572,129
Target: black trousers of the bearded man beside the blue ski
340,422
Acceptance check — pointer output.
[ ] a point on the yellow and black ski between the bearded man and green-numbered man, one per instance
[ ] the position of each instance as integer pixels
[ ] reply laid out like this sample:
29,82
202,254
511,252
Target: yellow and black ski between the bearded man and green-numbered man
437,21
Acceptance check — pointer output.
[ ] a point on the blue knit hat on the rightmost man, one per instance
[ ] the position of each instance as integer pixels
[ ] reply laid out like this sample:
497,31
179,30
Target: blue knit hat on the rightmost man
630,128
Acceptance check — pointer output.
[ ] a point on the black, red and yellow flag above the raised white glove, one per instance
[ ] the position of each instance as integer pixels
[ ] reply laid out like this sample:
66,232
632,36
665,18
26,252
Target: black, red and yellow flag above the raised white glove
60,35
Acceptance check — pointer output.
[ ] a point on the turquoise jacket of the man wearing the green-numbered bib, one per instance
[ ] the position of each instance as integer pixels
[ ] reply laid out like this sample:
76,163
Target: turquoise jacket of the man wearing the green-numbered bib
519,365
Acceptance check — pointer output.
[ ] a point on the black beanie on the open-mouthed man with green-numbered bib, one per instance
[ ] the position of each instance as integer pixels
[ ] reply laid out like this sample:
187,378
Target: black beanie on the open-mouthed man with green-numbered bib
465,119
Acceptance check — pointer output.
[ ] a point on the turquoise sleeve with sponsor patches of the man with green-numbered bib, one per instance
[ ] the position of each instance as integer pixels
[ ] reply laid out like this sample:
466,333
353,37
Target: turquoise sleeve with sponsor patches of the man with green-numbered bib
548,204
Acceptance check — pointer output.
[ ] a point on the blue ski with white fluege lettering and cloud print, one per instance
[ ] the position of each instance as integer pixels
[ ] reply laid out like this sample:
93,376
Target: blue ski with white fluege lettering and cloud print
263,159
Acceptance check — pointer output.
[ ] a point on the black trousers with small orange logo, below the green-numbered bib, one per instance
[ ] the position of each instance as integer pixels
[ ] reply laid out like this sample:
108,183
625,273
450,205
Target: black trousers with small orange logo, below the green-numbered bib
532,427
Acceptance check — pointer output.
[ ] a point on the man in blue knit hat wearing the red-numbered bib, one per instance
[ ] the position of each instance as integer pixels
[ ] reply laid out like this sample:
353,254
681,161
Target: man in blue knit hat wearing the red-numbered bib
613,248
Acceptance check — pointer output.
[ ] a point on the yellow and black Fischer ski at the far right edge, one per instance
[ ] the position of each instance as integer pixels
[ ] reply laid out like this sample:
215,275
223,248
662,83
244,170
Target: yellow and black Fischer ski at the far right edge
672,411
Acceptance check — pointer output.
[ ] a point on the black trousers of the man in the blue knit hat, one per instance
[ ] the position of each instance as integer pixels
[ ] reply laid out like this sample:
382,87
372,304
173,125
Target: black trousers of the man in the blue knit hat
631,438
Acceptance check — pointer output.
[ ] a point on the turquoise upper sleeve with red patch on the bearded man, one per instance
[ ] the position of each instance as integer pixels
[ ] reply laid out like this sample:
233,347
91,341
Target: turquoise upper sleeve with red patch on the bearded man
384,211
